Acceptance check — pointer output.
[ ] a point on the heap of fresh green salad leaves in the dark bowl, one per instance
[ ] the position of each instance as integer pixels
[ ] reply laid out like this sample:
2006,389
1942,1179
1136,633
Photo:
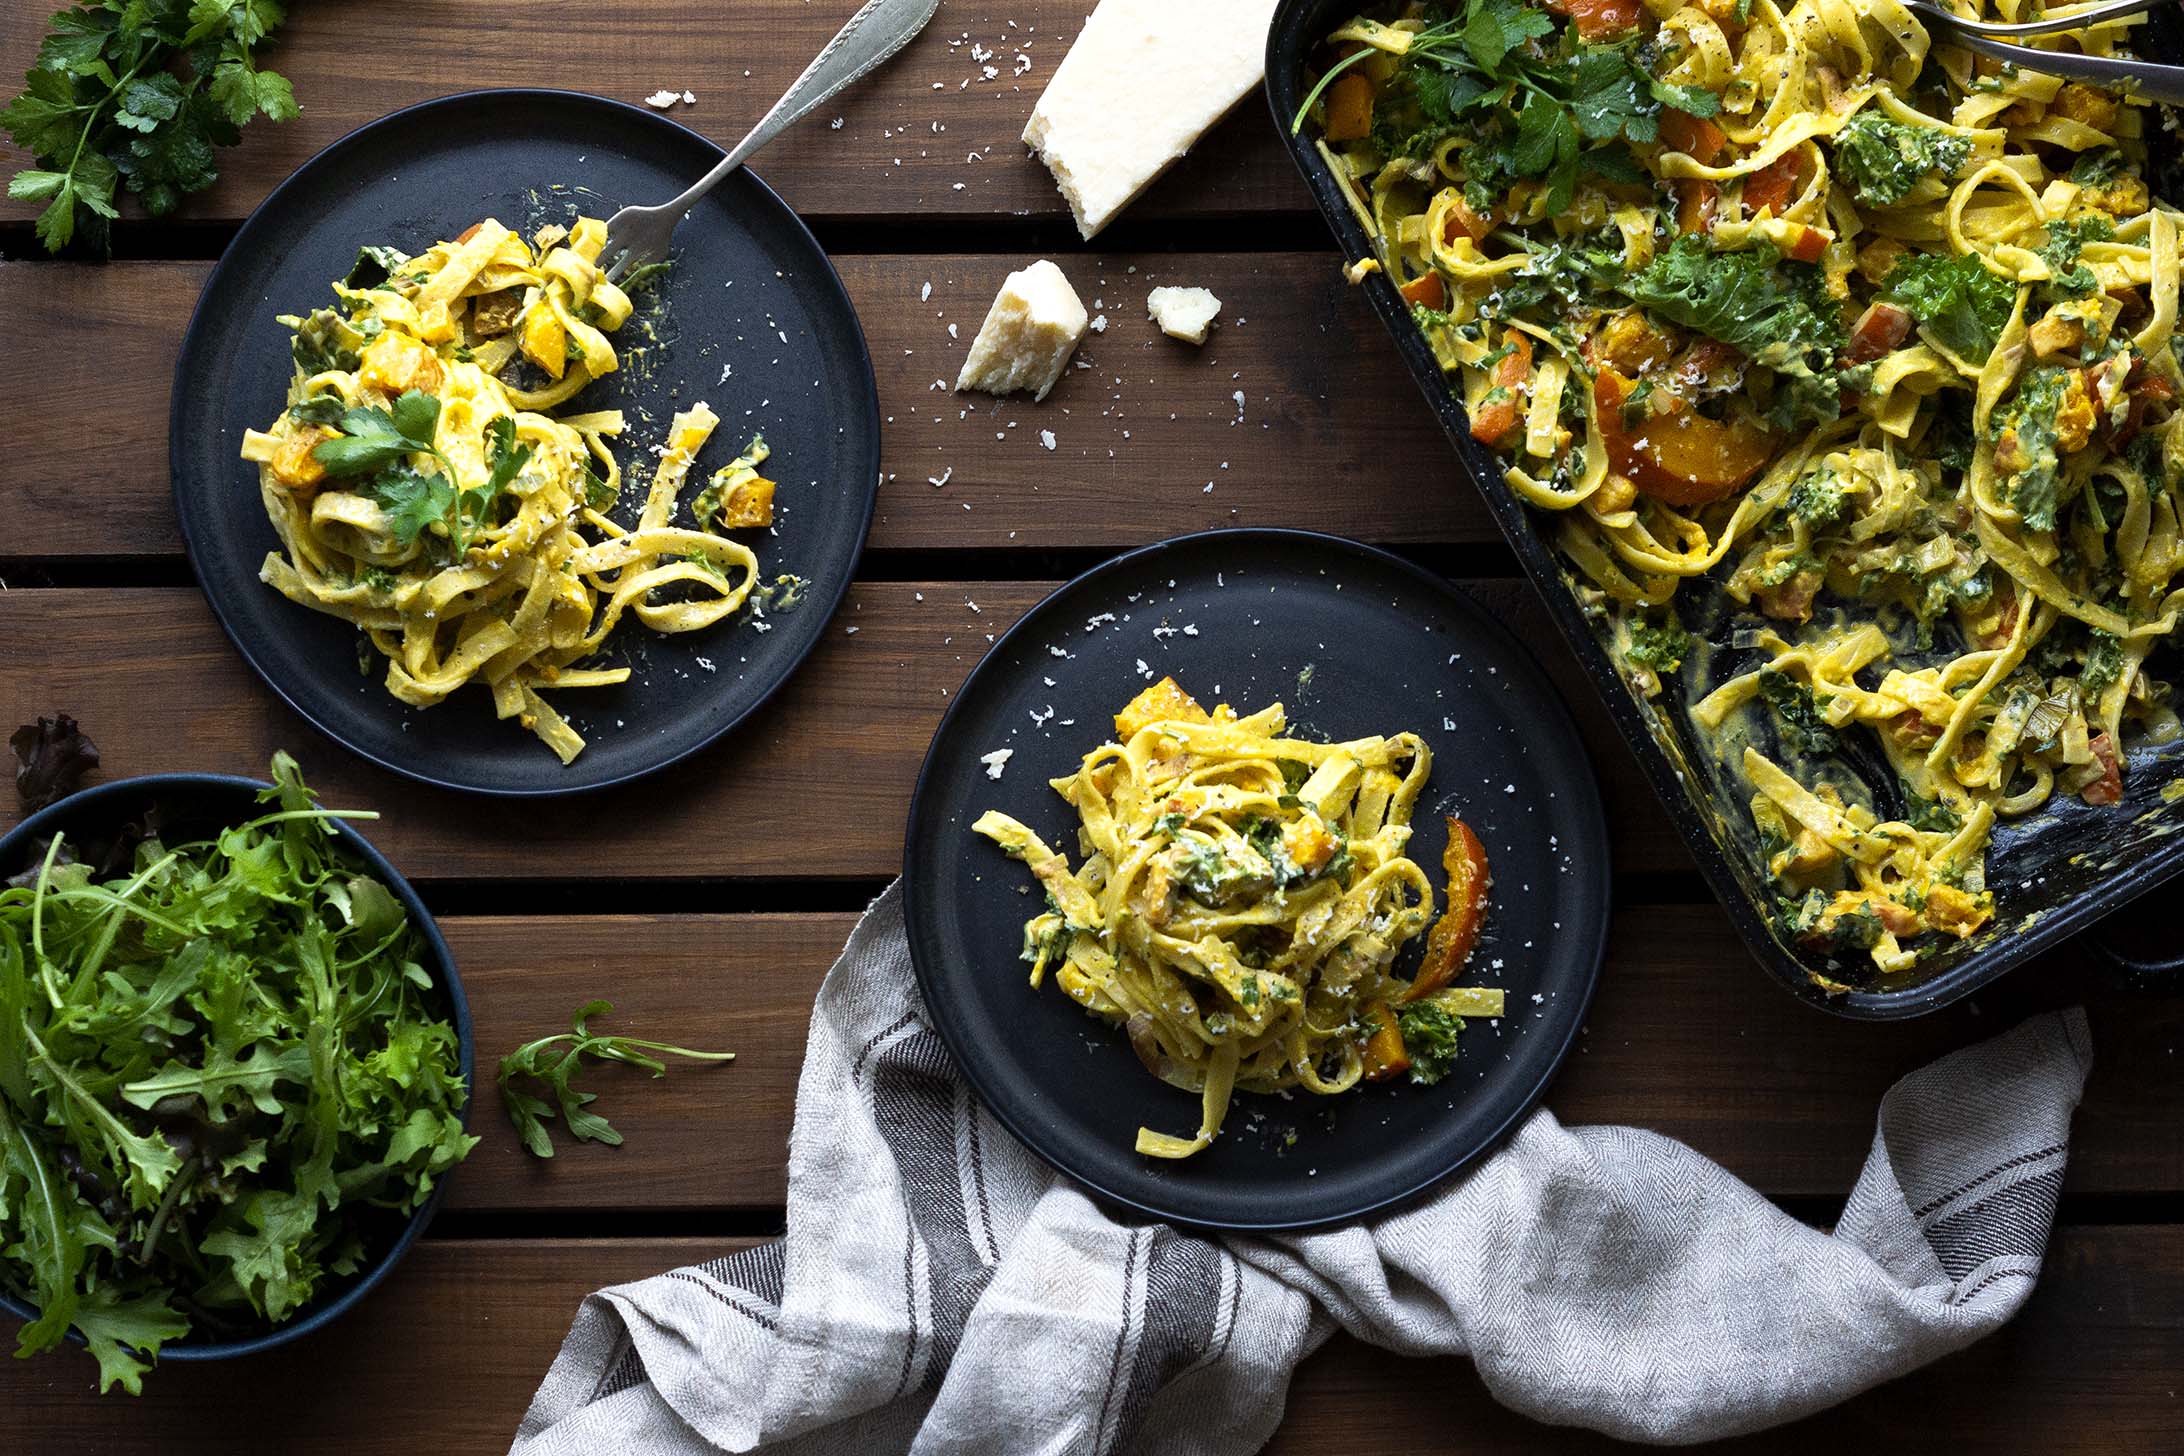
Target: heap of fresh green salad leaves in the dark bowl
224,1077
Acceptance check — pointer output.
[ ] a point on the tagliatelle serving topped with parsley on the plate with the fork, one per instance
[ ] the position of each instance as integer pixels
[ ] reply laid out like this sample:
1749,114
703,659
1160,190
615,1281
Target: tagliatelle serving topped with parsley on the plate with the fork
429,486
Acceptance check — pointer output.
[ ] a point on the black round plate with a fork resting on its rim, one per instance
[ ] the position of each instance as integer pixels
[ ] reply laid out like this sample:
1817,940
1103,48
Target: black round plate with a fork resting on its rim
755,322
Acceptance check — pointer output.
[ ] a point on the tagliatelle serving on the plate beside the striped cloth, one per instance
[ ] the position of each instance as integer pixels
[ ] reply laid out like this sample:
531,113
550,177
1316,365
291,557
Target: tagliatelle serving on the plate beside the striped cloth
1242,905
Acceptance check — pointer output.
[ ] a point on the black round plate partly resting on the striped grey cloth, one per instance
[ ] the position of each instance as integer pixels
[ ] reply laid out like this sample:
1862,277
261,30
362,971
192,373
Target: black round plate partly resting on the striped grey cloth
1353,643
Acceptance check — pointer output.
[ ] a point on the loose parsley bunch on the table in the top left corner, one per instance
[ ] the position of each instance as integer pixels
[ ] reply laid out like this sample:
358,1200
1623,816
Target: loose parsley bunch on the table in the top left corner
139,95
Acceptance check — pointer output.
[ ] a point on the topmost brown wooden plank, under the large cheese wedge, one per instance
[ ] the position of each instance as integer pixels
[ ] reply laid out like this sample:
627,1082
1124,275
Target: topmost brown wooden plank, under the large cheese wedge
886,158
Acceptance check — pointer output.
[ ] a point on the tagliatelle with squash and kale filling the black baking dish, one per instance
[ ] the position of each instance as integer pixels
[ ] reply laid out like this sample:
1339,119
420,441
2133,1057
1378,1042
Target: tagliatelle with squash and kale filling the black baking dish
1840,368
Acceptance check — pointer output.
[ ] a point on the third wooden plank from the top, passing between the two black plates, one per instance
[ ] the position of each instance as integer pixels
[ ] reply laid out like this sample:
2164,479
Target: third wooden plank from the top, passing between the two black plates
840,748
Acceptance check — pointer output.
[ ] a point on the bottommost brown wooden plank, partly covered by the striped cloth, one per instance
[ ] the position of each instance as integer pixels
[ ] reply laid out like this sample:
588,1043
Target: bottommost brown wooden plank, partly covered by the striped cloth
453,1348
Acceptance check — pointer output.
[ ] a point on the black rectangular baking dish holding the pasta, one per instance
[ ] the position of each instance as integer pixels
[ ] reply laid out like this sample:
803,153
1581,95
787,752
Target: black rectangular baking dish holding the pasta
2052,876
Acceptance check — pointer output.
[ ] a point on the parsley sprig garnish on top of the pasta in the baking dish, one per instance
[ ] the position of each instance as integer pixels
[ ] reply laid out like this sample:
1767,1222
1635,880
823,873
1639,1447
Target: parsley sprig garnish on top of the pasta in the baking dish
1536,104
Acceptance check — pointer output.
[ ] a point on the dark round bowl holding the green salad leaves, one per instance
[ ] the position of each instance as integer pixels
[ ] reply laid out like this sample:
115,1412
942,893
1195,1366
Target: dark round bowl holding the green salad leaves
198,807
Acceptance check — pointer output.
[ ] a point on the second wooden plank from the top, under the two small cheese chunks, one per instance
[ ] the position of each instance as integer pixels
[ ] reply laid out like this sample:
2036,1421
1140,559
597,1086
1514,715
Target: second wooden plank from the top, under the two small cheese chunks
1331,433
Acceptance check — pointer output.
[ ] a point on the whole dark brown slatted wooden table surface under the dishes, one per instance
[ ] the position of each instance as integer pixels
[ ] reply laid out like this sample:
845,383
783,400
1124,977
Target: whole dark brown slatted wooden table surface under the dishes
674,898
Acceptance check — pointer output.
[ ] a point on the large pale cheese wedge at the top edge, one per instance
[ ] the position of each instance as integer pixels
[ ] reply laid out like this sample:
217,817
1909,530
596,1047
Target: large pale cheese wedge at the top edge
1139,86
